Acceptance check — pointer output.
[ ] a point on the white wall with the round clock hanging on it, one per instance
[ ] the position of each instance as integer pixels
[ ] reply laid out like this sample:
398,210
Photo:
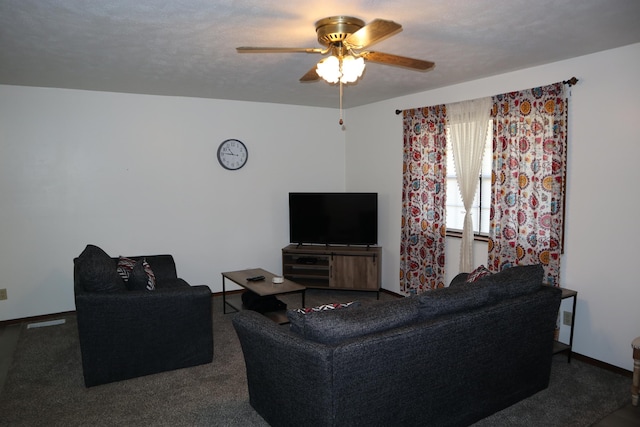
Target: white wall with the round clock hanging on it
138,174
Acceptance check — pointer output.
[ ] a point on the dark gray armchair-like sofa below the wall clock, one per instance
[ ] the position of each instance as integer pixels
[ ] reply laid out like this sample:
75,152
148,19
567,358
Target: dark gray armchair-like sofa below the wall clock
129,333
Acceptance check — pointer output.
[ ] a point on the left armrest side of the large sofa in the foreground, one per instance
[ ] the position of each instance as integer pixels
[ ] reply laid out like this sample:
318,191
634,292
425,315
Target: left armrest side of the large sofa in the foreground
287,376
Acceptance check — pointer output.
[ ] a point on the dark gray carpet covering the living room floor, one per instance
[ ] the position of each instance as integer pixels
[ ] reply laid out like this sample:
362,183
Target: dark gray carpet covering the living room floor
44,386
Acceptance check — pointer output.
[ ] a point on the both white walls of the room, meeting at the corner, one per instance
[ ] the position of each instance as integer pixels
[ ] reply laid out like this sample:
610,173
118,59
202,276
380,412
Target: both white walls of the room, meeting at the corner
137,174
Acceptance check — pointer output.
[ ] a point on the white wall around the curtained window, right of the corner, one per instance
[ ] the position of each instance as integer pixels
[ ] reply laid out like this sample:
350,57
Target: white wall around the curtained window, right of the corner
602,232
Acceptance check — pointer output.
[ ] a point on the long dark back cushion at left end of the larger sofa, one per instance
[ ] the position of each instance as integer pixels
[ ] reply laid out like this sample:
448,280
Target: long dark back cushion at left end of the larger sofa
334,326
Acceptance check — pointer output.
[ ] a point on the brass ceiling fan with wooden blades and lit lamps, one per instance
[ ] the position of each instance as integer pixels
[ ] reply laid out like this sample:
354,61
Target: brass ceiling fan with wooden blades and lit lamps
346,38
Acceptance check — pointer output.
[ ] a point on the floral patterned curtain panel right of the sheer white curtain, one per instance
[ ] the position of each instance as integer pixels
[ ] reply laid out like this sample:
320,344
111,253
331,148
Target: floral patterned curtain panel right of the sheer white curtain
528,179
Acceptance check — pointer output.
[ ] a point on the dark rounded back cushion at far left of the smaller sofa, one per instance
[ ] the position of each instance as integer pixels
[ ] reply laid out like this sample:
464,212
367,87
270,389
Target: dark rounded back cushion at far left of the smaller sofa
97,271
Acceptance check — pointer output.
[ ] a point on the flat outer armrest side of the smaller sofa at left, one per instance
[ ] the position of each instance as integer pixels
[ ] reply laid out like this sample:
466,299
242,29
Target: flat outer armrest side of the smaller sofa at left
132,333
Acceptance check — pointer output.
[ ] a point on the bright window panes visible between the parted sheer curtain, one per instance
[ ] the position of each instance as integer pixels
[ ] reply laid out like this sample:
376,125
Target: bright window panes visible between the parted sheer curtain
481,202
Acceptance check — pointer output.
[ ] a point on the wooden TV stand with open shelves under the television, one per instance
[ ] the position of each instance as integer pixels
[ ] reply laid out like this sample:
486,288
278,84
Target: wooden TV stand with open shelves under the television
333,267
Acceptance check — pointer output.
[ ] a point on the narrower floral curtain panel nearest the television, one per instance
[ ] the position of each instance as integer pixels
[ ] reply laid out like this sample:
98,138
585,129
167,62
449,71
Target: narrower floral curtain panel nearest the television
423,200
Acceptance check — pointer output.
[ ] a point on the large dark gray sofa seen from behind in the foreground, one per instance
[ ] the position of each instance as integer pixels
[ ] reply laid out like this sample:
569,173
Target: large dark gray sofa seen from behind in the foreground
448,357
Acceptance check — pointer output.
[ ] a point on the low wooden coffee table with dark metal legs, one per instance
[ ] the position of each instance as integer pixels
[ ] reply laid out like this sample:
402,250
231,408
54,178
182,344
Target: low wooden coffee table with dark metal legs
263,288
